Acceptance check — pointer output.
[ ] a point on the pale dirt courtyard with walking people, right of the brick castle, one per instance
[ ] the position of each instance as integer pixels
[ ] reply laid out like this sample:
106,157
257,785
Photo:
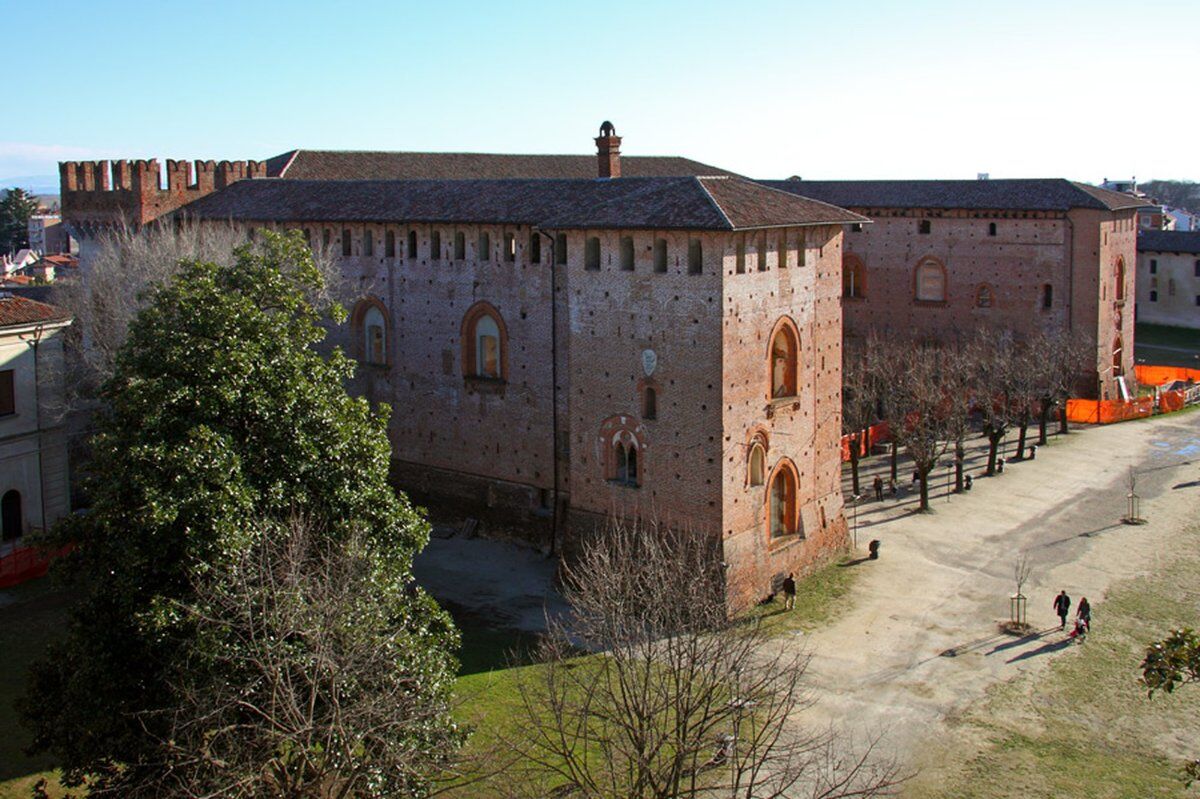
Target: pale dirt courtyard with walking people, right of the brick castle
920,642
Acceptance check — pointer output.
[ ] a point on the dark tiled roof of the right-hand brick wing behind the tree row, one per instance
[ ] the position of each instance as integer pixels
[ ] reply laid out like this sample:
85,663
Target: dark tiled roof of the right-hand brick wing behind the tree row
1005,195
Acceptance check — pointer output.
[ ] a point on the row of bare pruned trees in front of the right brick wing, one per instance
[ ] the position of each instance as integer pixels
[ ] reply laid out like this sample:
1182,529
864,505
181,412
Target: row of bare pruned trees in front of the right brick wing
933,398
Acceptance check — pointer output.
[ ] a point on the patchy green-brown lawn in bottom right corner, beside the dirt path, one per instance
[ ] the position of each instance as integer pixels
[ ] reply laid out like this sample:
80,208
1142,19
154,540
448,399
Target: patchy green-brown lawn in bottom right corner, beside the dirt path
1084,728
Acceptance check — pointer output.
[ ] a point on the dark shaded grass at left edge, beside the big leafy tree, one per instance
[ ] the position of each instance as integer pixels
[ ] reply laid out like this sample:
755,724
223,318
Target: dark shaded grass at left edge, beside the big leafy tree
32,616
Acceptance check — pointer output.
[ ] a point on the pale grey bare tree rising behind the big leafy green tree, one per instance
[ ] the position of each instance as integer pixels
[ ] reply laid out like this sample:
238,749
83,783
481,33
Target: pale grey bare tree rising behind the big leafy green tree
112,289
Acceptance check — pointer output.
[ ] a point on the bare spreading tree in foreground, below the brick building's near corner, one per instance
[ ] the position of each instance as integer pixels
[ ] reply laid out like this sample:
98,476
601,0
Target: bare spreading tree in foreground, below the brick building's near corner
677,700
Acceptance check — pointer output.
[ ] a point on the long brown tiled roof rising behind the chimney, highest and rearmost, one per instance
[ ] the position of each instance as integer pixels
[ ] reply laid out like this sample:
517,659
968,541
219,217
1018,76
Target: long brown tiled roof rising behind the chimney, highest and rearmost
350,165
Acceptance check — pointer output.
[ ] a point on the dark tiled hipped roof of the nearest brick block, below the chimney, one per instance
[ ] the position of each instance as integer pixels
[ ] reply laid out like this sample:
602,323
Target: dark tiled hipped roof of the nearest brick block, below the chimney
681,203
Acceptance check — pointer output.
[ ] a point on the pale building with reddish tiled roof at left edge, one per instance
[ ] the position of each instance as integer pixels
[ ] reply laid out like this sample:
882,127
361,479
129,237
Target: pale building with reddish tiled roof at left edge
34,480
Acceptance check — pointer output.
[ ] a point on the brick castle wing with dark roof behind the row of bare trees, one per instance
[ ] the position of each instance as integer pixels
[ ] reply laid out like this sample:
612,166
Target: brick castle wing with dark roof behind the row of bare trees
945,257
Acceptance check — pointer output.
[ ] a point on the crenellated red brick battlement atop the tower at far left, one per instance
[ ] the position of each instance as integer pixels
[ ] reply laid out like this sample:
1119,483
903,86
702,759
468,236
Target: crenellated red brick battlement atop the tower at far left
137,193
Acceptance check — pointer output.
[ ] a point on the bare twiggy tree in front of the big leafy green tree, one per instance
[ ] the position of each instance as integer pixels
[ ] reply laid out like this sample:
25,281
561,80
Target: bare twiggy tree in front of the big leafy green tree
314,686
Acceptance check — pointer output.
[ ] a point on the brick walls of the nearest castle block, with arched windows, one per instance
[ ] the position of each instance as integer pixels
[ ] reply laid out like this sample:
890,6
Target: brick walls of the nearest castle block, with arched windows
691,316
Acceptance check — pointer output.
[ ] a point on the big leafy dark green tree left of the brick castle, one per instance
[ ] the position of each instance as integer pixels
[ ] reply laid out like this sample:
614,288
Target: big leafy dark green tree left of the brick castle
221,418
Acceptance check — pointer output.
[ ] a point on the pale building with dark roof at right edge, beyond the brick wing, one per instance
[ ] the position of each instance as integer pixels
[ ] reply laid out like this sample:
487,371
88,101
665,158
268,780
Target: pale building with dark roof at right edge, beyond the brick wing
1169,278
